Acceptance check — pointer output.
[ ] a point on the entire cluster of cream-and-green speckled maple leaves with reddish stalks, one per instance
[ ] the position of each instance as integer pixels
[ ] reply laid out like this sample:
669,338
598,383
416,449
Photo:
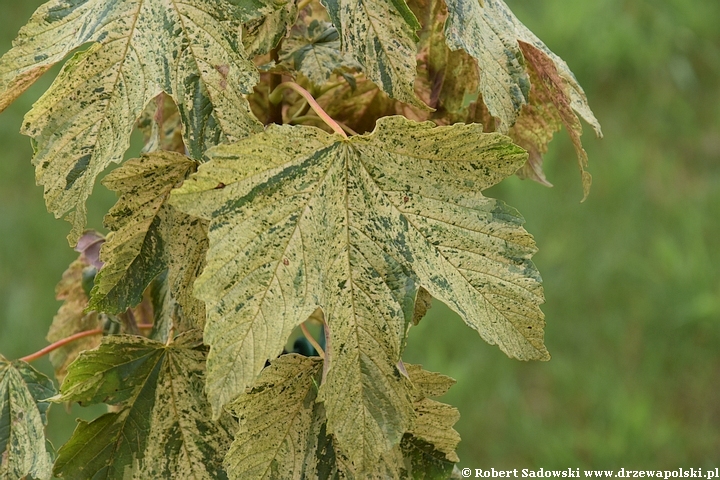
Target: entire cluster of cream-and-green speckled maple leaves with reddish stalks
308,166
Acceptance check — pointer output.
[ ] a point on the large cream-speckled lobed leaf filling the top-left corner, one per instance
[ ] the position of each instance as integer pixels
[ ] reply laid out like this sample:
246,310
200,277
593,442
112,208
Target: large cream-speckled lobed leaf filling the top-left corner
141,47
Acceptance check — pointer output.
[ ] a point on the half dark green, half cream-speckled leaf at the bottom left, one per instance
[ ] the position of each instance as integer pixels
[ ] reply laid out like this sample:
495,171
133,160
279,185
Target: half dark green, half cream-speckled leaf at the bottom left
162,427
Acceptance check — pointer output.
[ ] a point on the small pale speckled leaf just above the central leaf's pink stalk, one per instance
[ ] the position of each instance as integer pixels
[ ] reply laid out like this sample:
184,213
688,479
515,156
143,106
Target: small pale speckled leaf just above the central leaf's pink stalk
315,52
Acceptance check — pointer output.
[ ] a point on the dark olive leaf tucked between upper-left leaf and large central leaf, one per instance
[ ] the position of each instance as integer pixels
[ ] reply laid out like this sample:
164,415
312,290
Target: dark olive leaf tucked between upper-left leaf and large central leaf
149,236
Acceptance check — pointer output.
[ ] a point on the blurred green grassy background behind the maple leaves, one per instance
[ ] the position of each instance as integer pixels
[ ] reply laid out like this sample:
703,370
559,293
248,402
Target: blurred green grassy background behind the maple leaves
632,276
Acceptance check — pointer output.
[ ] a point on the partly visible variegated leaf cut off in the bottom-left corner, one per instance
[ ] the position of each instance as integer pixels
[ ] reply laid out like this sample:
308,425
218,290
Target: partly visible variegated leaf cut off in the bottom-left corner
23,409
